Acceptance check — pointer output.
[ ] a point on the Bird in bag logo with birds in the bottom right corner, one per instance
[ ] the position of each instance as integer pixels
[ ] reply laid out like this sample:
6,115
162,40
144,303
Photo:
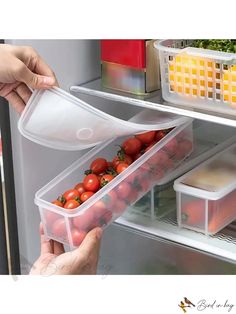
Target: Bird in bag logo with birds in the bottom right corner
204,305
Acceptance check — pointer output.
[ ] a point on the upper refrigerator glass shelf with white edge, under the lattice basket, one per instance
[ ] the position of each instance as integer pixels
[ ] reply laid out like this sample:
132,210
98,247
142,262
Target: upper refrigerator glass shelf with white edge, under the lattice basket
152,101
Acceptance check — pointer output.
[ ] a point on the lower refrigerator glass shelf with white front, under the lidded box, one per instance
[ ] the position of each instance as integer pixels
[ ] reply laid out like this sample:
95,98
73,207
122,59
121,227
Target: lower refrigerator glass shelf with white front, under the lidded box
221,245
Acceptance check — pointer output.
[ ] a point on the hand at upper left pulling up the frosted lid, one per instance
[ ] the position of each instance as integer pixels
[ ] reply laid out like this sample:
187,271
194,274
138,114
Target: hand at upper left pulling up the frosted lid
20,68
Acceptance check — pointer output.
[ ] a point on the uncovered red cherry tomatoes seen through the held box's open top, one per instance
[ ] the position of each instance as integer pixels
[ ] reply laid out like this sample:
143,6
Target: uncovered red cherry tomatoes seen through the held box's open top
101,171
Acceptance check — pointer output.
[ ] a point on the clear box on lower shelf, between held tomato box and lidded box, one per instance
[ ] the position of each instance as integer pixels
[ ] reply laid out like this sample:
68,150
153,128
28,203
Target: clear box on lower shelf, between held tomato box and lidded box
208,140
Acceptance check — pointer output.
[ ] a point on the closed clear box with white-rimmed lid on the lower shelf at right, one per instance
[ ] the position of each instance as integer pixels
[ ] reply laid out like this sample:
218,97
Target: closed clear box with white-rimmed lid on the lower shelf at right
206,196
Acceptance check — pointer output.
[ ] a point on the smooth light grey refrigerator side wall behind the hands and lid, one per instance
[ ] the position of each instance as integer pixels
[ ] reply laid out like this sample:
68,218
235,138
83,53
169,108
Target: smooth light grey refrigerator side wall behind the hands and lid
73,61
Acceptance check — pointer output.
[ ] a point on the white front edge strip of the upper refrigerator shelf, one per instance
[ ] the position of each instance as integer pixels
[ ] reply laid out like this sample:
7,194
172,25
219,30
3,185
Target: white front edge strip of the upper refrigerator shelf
153,105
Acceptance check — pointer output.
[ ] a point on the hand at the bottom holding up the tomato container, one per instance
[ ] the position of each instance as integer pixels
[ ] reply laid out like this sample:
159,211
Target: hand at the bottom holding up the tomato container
82,261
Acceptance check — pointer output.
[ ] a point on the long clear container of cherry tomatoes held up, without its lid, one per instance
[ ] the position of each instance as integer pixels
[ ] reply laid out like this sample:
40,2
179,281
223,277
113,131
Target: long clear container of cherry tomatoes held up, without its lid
105,206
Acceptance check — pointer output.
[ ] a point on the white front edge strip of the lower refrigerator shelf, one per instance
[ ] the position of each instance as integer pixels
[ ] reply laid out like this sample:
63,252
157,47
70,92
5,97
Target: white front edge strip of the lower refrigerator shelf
193,240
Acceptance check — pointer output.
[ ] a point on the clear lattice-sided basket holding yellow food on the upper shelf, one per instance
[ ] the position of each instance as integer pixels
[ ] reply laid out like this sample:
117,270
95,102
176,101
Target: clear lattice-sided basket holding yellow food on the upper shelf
197,78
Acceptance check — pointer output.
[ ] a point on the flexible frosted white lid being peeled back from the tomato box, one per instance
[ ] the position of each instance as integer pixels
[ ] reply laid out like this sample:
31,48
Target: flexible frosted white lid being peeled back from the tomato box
57,119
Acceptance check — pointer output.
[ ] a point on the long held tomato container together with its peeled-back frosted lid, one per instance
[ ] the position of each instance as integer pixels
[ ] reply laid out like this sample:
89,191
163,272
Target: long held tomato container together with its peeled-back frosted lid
56,119
